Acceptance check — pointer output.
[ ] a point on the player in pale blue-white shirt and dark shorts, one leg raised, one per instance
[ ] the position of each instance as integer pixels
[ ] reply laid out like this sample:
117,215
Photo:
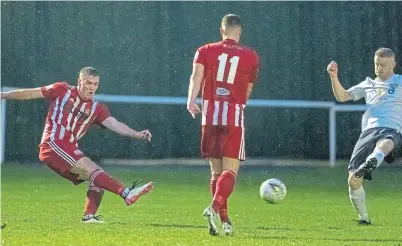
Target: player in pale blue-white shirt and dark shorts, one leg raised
381,123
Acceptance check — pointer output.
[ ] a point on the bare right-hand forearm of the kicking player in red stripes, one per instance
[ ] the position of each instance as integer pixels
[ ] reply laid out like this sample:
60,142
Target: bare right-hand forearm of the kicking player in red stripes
122,129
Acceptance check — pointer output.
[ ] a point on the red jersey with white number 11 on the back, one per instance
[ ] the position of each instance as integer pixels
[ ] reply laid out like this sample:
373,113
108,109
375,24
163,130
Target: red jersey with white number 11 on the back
228,69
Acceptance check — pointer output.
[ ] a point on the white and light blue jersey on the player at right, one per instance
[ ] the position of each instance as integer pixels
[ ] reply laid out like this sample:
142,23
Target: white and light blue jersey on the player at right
384,101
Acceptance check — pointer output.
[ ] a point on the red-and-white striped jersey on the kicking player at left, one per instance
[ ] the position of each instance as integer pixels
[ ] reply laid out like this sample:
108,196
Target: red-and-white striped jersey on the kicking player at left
69,116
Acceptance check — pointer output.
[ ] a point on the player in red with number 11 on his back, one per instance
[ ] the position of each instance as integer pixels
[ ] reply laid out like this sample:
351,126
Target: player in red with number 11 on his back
226,70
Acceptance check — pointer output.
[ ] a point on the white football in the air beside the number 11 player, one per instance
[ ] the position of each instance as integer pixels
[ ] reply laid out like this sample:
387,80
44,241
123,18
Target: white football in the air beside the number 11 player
273,190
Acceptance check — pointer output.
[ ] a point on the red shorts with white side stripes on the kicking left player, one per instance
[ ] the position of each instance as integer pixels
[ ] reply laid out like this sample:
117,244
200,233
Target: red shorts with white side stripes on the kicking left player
61,157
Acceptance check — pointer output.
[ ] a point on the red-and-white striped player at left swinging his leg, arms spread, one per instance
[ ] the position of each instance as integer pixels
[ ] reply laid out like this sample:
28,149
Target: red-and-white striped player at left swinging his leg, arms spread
72,111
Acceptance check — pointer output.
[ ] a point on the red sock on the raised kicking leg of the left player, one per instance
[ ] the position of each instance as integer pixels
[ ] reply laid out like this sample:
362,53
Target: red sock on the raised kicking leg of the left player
101,180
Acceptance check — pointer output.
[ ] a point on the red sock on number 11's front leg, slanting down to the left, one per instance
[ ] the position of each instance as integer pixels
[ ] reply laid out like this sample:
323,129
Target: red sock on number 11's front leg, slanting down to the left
224,188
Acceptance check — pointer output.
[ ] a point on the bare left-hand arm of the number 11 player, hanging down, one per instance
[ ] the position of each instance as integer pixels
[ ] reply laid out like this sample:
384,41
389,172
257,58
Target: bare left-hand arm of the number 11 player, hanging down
194,89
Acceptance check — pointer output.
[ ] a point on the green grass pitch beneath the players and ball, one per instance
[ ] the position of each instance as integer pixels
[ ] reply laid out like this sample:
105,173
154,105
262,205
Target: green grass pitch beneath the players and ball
42,209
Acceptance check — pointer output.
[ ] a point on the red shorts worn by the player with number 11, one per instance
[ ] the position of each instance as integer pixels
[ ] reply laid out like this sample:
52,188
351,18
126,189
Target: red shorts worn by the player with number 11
223,141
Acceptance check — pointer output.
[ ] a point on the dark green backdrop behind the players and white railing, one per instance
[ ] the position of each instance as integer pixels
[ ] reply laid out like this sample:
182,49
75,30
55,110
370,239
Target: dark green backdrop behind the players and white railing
147,48
